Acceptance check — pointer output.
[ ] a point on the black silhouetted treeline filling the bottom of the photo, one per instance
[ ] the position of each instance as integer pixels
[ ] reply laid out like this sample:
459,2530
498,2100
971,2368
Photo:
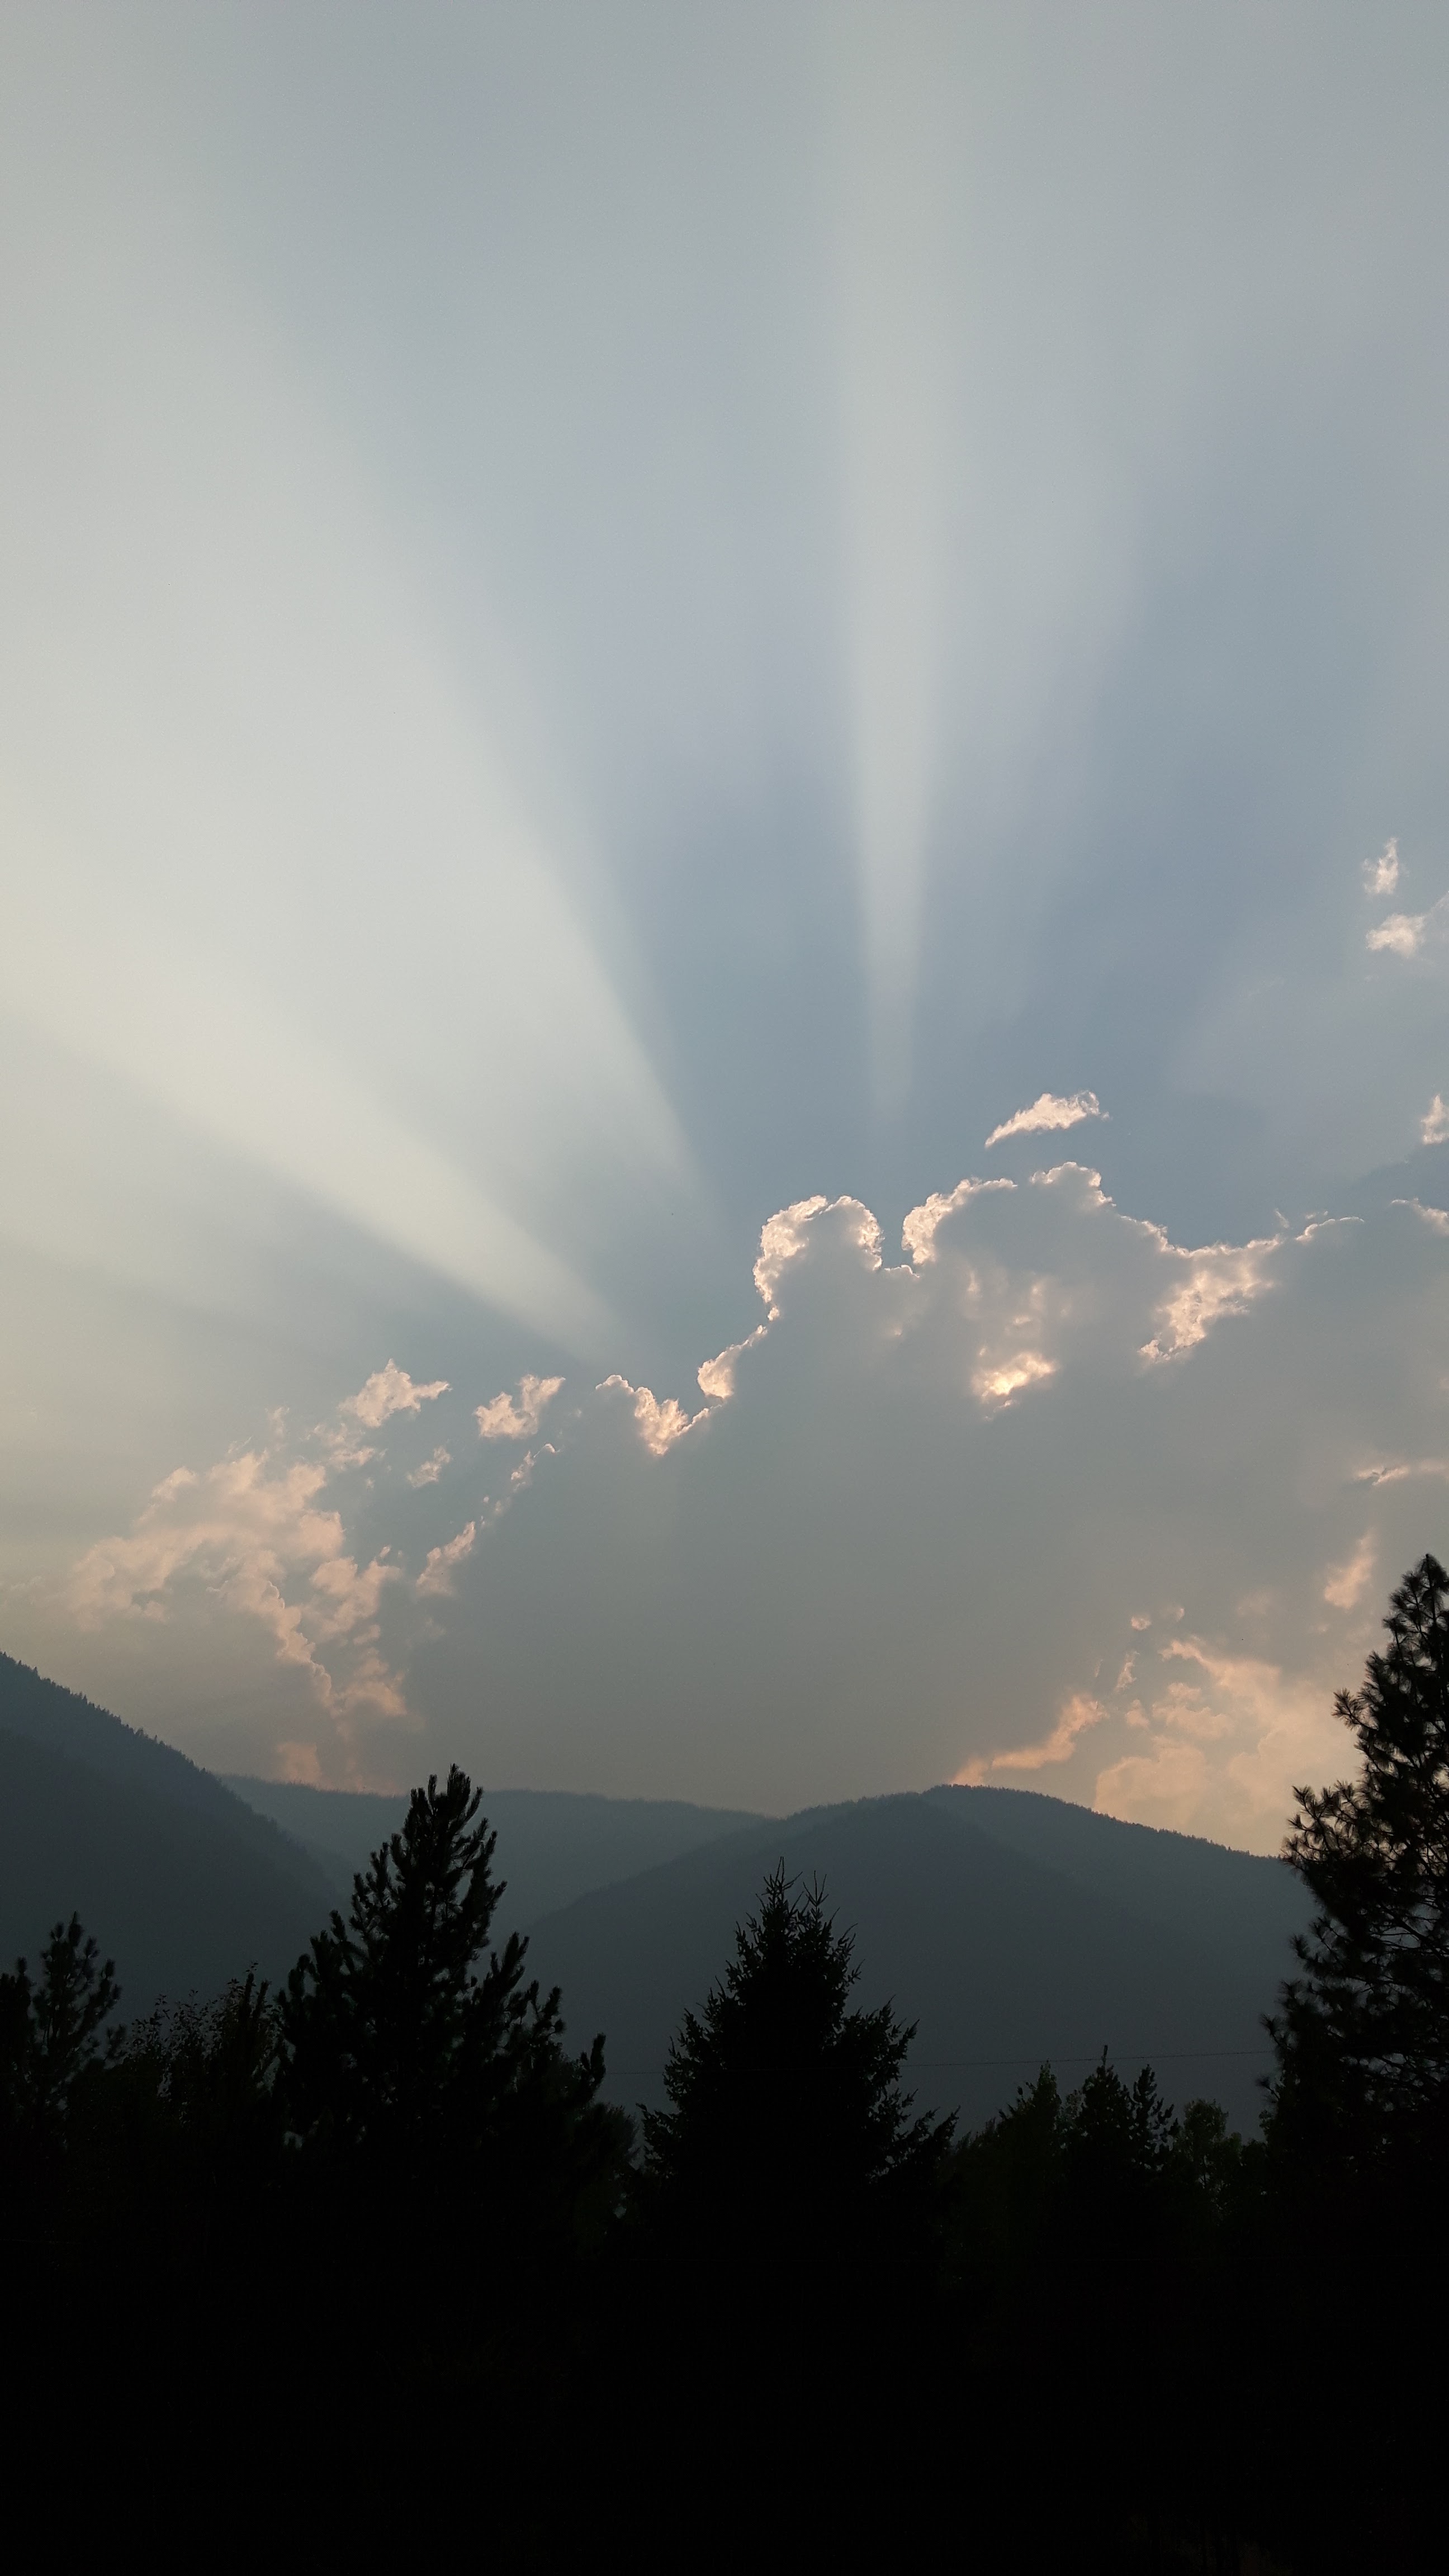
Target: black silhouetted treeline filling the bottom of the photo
373,2266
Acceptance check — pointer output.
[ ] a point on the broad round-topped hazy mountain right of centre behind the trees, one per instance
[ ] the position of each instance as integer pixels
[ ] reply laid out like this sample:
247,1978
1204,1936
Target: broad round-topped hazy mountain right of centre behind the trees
1002,1959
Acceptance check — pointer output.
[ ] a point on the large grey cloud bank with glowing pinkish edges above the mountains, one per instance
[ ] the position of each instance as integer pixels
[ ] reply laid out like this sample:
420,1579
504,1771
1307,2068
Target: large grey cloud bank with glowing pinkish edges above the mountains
1051,1501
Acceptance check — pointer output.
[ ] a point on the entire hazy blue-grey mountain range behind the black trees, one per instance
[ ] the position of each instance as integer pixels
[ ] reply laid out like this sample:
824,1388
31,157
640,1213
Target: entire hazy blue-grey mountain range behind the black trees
1009,1926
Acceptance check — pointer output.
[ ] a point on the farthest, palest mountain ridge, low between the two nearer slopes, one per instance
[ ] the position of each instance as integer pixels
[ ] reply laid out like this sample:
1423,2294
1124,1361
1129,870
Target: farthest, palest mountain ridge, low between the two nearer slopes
553,1846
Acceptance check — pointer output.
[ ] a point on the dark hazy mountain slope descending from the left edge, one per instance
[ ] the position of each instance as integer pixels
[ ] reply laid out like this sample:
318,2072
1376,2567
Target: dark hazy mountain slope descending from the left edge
182,1882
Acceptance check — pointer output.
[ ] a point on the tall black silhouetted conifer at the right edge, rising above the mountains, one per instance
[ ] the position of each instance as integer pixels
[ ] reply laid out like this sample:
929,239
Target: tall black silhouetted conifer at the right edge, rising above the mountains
1363,2036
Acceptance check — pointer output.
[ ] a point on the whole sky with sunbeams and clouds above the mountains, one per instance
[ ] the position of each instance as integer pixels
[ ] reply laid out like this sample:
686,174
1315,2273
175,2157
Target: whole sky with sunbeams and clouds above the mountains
726,887
